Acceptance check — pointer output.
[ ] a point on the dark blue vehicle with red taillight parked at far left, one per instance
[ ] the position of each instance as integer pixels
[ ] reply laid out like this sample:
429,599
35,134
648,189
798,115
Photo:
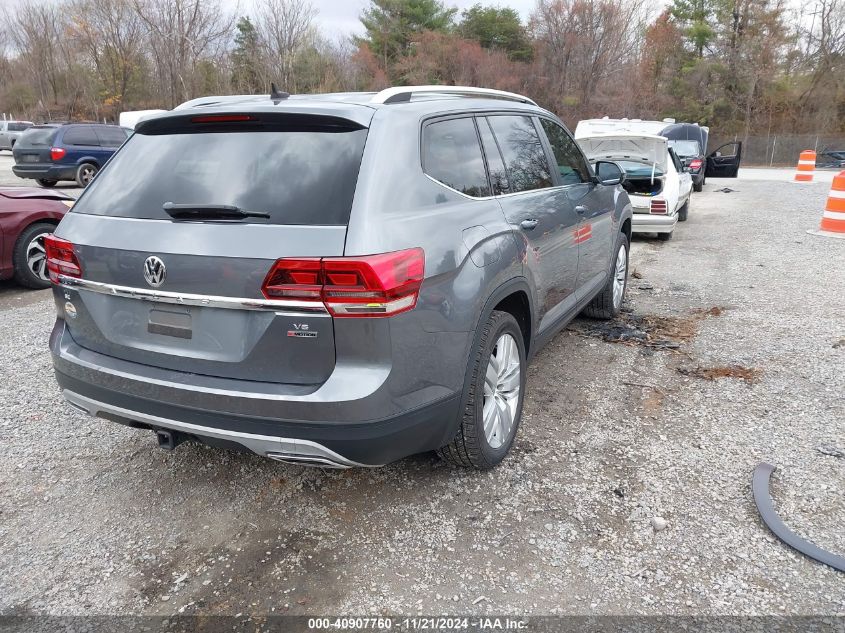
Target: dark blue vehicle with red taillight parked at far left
75,151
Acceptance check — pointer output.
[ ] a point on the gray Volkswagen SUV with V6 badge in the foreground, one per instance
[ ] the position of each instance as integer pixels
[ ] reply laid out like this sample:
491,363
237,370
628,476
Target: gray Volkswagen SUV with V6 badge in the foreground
333,280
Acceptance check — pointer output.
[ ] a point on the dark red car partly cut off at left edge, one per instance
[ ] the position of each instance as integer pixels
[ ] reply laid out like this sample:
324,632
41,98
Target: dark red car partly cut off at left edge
27,216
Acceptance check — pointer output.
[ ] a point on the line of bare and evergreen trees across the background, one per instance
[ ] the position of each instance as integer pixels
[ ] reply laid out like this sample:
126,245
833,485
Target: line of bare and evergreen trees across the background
741,66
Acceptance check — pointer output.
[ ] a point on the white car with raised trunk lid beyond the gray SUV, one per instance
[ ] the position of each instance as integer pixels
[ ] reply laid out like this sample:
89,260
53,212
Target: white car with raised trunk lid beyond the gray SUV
655,179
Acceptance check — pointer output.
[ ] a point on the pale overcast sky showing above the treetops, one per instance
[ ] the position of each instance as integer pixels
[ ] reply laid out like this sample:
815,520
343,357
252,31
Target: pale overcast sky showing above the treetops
337,18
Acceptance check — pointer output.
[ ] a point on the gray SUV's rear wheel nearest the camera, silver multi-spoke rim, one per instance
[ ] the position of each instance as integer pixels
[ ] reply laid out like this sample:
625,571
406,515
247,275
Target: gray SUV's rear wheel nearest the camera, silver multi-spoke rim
477,445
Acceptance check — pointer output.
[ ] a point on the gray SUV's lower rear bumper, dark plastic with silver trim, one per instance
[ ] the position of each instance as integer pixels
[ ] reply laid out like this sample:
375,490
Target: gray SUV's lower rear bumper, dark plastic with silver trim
295,426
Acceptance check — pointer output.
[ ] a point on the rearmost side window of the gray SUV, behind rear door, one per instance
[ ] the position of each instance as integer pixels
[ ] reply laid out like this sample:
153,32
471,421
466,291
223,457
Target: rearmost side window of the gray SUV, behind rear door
452,155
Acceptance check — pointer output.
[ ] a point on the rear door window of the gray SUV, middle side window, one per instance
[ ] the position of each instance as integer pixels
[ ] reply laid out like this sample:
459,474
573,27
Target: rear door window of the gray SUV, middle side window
523,152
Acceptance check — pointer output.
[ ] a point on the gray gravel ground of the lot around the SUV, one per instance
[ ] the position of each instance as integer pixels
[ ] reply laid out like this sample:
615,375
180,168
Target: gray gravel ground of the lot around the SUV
628,491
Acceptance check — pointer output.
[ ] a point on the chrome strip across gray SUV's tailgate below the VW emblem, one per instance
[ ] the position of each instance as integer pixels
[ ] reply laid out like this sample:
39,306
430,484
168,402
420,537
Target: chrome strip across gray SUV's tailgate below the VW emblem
208,301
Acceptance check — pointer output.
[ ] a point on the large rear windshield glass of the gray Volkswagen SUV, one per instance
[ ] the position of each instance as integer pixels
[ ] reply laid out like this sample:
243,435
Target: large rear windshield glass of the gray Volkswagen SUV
297,177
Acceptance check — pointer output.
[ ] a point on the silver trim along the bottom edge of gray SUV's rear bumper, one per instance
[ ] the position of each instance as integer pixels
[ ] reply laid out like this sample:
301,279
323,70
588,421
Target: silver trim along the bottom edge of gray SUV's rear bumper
305,452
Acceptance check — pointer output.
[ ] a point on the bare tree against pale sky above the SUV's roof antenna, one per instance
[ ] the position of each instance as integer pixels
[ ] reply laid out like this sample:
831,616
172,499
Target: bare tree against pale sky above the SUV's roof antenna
286,26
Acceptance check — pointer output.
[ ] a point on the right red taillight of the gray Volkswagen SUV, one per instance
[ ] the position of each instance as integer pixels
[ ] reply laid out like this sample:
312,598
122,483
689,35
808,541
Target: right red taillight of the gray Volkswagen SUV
368,286
